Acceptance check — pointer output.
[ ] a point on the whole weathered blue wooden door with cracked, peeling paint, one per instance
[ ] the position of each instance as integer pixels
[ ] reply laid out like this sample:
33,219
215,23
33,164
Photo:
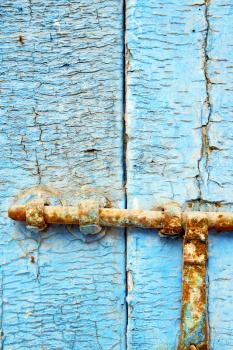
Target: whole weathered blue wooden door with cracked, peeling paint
132,99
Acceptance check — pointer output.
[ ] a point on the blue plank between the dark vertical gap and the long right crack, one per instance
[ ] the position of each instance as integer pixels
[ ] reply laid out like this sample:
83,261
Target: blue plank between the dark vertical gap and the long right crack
167,108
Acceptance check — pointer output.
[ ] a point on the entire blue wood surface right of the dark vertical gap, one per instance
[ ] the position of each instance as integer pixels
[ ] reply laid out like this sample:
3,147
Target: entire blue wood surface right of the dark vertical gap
172,154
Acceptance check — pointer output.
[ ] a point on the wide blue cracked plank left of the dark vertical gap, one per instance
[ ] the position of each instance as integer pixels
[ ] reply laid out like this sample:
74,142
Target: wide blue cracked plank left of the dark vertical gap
61,125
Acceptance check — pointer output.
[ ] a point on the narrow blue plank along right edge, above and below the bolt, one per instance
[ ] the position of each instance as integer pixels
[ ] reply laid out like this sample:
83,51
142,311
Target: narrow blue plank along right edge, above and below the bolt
218,182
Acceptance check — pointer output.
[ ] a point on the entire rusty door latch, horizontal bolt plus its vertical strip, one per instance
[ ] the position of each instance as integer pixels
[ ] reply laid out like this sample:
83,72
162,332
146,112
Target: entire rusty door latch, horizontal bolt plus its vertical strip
170,222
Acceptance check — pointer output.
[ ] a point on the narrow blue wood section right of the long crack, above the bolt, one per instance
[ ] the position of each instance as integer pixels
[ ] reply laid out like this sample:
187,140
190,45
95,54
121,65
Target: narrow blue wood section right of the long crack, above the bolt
217,182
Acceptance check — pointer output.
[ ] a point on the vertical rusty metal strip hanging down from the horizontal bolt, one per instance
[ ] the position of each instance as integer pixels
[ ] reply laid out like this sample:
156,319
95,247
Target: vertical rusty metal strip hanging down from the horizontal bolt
194,319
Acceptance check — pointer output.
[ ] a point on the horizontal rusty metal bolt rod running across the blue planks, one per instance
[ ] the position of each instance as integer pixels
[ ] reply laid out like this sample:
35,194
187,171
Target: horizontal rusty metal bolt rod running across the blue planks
171,220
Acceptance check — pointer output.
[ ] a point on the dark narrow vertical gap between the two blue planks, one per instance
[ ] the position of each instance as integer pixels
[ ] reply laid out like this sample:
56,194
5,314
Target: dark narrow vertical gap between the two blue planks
124,161
